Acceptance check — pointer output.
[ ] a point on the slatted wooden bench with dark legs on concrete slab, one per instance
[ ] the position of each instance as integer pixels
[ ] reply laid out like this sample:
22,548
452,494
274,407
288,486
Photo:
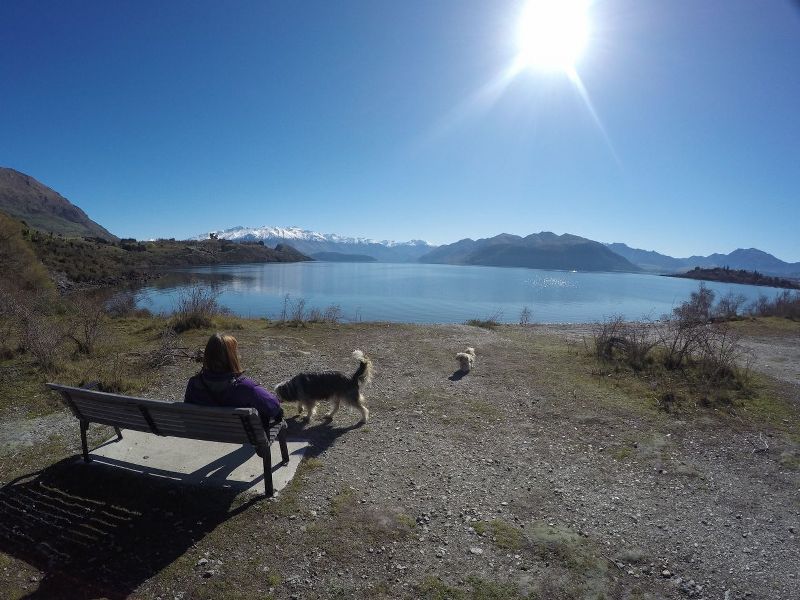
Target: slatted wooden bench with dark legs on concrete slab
176,419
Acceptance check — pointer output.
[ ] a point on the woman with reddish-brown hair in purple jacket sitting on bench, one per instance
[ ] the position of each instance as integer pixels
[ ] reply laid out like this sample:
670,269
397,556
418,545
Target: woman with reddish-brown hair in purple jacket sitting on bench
220,382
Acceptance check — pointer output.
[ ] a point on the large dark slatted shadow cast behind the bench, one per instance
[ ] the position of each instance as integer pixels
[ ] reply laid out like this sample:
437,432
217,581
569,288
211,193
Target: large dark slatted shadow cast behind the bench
100,532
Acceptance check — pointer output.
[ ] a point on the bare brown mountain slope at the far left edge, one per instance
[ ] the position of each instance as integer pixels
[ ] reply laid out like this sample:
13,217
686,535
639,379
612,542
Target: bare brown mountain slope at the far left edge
26,199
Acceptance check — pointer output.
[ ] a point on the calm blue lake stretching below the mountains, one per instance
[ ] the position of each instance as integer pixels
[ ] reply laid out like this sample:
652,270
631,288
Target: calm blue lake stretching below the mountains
417,293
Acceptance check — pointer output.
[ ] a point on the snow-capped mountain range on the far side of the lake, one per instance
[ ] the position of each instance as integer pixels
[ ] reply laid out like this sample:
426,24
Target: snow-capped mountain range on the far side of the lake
311,242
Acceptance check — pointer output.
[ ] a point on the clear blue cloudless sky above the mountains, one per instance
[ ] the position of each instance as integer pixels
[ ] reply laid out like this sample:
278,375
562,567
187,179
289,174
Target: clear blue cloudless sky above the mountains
372,118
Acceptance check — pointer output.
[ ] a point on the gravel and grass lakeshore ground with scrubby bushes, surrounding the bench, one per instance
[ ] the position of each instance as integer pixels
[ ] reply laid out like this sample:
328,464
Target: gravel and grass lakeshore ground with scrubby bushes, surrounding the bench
608,460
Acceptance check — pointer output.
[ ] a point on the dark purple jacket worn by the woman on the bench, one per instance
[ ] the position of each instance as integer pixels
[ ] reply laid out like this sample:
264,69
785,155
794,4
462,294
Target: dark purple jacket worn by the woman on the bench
226,389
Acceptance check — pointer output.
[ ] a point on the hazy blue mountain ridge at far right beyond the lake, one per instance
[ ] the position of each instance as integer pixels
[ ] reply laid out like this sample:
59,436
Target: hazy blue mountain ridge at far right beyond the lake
750,259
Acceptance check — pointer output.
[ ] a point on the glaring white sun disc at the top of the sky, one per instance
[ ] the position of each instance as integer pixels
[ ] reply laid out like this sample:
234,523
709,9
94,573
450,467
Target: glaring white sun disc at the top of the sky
552,34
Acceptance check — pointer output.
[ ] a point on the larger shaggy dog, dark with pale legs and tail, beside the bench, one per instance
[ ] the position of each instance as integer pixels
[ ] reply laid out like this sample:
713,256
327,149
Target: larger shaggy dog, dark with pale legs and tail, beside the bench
309,388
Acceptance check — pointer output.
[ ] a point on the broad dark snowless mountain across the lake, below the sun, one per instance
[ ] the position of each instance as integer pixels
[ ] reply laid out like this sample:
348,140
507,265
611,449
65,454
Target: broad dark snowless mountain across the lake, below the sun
544,250
